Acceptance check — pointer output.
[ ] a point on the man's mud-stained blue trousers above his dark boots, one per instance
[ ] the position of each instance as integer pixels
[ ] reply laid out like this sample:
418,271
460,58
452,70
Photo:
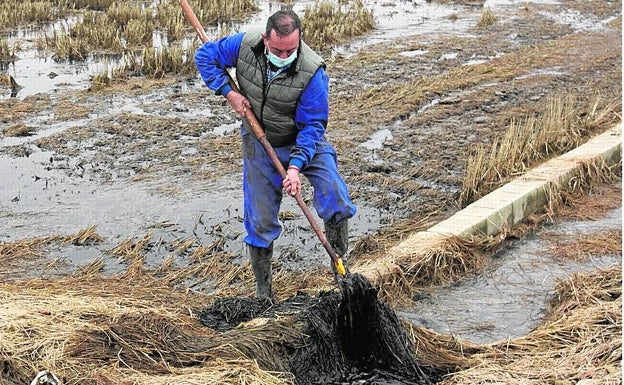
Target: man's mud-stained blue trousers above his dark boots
262,188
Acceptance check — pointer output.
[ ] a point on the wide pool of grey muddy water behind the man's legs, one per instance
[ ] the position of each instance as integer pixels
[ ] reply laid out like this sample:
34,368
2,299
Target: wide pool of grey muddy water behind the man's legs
43,201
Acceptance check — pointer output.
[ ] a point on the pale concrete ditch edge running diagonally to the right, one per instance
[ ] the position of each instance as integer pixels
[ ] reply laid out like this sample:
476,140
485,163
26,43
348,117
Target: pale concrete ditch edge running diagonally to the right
504,207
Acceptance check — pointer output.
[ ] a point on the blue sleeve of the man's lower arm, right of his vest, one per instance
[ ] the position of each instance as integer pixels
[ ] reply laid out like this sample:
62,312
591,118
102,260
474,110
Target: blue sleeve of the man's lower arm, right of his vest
311,118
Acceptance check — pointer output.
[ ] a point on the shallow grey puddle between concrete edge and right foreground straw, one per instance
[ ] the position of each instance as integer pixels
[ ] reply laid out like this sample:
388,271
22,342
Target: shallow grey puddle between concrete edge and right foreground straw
511,297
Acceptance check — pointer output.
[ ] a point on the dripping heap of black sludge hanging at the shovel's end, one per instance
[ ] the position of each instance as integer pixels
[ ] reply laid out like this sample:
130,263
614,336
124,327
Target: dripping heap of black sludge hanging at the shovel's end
355,339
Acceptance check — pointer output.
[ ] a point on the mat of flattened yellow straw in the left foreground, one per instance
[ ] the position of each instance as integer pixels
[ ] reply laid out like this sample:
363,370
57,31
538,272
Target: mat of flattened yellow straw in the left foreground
114,330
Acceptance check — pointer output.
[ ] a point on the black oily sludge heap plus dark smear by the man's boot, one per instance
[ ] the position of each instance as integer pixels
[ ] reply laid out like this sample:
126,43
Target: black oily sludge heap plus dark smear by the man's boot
353,337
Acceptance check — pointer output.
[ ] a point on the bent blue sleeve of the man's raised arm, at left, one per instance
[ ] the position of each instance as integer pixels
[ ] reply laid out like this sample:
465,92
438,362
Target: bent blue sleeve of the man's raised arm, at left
214,57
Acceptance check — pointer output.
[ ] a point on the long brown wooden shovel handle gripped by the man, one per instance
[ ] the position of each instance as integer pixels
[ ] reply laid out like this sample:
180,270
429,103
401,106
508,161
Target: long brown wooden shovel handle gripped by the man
259,132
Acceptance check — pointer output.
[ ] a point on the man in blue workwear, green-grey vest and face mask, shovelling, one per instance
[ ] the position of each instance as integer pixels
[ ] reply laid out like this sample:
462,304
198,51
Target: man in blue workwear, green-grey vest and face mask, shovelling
283,82
